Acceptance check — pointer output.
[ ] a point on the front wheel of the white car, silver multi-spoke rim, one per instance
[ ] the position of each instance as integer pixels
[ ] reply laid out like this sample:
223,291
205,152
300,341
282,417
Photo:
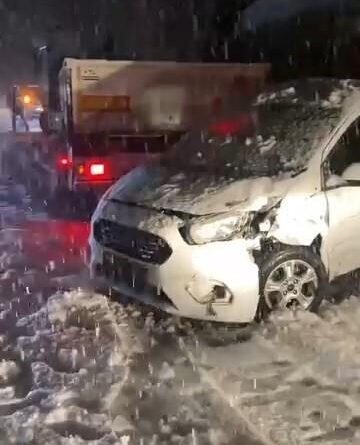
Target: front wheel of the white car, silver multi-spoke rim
291,278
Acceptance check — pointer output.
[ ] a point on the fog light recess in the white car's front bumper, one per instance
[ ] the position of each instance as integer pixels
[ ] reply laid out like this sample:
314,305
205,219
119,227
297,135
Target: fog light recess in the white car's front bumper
209,291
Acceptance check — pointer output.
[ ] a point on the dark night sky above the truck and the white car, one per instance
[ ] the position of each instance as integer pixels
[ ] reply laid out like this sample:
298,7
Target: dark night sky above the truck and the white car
164,29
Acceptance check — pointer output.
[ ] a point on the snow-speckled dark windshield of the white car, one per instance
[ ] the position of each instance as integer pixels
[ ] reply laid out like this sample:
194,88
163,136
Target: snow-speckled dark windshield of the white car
265,141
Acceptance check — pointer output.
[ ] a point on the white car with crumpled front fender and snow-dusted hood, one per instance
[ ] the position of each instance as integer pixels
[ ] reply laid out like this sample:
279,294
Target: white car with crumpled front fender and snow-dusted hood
259,212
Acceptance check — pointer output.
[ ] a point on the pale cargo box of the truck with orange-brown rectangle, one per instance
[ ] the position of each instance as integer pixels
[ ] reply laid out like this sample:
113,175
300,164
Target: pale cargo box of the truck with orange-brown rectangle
163,96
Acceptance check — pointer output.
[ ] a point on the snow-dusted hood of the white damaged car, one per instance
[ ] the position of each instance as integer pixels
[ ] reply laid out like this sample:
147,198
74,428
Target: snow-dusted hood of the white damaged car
197,194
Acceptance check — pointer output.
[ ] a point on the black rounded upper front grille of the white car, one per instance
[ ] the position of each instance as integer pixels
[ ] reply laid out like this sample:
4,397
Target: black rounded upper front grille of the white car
134,243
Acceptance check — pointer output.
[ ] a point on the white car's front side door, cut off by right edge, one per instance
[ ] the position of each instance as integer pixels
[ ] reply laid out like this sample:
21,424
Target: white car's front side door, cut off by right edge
341,173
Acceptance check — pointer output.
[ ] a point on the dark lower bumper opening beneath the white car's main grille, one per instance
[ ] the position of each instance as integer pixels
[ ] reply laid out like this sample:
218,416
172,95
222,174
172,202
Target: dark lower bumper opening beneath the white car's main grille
131,275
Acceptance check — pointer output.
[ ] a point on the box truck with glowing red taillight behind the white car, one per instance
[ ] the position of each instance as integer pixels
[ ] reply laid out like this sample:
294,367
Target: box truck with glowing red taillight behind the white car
114,115
